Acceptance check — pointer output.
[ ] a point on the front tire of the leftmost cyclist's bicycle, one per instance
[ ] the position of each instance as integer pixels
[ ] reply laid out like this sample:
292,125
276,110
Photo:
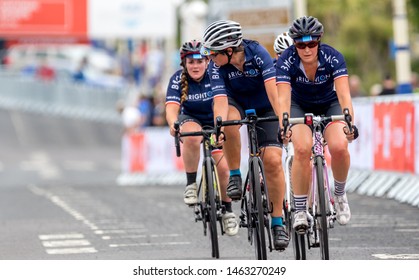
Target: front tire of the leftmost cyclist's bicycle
211,208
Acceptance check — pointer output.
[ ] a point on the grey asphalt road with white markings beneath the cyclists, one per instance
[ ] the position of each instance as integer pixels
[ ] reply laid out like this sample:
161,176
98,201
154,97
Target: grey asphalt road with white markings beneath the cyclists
59,200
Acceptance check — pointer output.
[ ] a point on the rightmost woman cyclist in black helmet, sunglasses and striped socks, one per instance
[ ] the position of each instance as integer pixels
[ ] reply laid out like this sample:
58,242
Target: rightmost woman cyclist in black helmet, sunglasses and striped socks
313,78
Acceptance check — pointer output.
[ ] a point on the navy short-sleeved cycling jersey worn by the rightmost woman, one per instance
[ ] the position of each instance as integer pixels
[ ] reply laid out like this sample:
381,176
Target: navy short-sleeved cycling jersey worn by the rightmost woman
321,91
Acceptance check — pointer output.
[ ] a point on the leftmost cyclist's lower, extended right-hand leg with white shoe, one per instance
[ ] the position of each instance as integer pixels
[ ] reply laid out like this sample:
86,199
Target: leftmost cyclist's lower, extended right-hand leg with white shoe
230,224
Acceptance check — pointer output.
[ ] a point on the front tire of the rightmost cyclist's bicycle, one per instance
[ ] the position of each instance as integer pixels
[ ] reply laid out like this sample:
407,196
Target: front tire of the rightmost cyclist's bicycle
321,214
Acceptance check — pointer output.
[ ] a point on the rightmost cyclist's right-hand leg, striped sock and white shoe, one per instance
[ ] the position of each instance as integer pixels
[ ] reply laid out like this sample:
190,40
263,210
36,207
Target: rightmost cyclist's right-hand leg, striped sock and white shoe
340,163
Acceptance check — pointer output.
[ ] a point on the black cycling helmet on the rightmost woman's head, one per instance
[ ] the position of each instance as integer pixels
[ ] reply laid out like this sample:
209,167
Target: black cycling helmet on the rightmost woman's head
306,26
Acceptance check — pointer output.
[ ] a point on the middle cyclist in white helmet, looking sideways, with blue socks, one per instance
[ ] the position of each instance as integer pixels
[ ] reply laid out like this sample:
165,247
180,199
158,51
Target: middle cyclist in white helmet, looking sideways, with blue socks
243,77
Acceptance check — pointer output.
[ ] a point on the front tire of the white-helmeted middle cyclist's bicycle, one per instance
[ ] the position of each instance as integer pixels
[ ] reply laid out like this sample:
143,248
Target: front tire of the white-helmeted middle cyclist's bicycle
258,211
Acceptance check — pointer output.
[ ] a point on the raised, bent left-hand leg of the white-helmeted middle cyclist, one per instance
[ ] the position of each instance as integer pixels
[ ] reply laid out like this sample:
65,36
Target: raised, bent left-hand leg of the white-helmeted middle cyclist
232,151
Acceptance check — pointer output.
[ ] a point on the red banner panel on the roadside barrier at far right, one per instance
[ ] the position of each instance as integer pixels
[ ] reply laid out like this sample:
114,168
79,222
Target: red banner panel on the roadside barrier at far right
394,136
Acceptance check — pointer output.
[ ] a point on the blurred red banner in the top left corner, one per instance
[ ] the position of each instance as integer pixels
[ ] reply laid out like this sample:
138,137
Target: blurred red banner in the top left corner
43,18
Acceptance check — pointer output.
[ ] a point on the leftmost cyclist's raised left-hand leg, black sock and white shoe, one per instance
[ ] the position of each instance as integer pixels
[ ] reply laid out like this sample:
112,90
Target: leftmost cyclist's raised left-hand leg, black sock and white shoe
190,155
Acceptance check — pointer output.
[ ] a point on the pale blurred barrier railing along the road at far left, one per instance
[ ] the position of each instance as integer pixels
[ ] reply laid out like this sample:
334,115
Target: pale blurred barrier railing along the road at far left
60,97
